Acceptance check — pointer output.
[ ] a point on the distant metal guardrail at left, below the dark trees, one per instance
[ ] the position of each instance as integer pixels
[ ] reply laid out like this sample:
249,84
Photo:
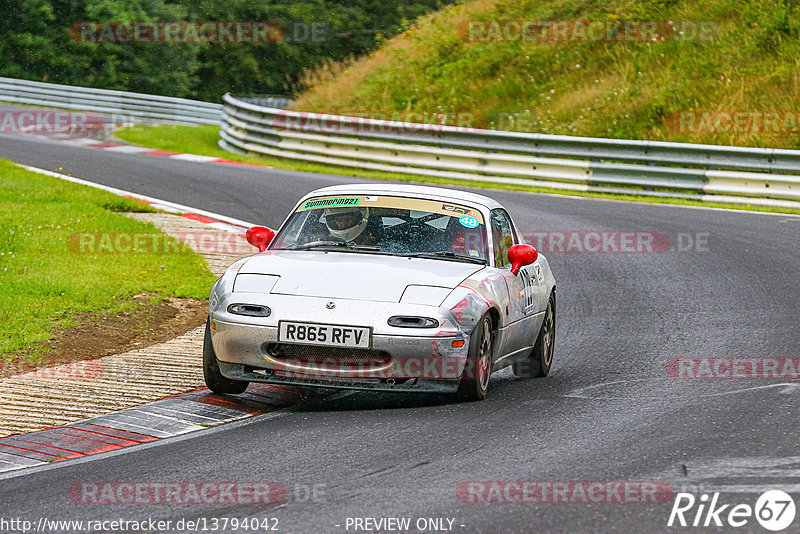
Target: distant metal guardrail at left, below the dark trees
119,106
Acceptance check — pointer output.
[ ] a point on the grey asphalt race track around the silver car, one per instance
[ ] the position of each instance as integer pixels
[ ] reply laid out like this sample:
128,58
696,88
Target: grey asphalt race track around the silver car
608,412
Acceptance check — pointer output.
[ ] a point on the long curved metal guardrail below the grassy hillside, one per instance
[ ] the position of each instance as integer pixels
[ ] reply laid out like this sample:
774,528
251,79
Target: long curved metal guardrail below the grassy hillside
662,169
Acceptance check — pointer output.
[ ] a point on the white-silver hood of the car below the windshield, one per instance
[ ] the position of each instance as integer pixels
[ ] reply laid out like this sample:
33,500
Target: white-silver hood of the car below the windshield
350,275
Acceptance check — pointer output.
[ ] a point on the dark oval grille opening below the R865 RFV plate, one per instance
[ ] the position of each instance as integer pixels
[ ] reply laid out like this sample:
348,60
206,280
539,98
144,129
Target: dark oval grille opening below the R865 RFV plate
327,358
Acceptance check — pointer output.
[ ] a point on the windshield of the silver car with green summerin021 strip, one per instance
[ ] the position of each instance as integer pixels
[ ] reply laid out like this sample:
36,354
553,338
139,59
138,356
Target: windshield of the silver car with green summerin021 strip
398,226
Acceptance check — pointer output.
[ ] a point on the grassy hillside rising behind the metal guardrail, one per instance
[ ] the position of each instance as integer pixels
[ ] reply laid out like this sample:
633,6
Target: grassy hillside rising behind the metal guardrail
720,71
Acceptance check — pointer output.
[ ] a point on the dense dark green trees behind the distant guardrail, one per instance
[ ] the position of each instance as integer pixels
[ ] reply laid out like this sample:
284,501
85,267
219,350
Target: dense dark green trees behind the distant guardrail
36,43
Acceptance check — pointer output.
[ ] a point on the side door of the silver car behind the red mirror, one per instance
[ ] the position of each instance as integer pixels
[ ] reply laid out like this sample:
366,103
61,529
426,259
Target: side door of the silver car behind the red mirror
525,289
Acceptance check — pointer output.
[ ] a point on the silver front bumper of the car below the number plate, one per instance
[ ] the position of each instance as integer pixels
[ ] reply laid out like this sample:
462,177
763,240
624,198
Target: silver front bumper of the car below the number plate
406,363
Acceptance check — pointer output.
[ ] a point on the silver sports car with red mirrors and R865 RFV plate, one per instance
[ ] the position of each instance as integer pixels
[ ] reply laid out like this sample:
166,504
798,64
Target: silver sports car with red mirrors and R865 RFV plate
387,288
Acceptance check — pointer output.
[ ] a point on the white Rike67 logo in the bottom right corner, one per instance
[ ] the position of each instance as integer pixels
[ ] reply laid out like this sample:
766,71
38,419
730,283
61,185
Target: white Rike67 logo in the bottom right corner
774,510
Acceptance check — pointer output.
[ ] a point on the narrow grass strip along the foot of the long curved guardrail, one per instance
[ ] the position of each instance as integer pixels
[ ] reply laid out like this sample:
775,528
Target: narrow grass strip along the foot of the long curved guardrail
202,140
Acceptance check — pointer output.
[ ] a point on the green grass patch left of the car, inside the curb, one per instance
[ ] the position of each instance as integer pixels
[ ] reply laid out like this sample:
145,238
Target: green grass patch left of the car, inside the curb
44,282
